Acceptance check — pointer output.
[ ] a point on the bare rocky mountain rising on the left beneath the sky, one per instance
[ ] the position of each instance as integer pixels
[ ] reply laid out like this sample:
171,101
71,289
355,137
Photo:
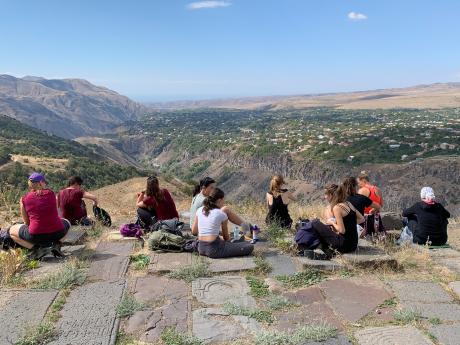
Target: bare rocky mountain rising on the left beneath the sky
69,108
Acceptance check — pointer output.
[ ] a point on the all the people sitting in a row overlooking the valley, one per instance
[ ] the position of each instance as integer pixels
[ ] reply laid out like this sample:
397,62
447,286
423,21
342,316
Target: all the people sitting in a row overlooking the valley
353,210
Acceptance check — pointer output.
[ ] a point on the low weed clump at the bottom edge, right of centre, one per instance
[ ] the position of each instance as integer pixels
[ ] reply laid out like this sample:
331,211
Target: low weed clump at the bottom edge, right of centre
298,337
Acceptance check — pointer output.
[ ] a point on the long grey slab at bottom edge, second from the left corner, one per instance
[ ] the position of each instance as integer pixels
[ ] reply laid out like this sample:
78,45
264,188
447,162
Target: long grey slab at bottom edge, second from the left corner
89,315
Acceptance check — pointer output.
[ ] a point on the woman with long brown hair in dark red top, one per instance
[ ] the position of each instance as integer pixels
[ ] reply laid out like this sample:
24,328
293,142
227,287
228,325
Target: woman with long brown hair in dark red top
155,203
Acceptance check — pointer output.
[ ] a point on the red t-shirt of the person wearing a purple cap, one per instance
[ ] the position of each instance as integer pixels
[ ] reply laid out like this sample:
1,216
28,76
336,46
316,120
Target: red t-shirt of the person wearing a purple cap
42,211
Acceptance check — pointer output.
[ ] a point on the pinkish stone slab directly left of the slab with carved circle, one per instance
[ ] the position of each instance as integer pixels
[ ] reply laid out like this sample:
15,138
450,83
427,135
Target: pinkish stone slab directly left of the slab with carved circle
157,288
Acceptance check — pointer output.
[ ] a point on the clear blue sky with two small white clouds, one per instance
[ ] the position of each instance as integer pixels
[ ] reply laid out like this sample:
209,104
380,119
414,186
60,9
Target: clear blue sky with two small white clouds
161,50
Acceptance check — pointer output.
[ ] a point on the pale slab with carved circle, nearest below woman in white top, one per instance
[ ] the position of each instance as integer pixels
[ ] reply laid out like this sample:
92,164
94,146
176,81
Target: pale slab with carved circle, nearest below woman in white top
221,289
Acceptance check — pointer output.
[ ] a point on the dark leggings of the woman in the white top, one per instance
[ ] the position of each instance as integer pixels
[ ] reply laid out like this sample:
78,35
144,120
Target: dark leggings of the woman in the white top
223,249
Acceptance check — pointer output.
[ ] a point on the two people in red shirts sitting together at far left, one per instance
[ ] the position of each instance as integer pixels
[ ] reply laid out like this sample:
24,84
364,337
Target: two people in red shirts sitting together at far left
46,217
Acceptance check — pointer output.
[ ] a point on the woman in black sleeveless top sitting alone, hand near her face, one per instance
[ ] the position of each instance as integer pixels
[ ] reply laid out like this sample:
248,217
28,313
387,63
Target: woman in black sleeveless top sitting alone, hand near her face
278,200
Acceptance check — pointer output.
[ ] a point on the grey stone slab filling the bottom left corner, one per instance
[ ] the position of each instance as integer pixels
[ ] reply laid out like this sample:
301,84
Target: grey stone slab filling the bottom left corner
21,311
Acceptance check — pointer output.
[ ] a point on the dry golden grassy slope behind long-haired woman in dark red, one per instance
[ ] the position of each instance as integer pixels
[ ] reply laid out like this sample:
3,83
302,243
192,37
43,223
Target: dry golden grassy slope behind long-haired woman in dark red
120,199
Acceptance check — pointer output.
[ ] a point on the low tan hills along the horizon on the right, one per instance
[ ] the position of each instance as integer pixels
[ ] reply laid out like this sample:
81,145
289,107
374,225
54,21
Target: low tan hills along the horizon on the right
440,95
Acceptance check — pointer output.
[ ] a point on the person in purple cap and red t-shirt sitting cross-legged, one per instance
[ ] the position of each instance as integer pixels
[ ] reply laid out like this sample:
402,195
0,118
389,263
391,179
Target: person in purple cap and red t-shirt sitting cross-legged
42,225
